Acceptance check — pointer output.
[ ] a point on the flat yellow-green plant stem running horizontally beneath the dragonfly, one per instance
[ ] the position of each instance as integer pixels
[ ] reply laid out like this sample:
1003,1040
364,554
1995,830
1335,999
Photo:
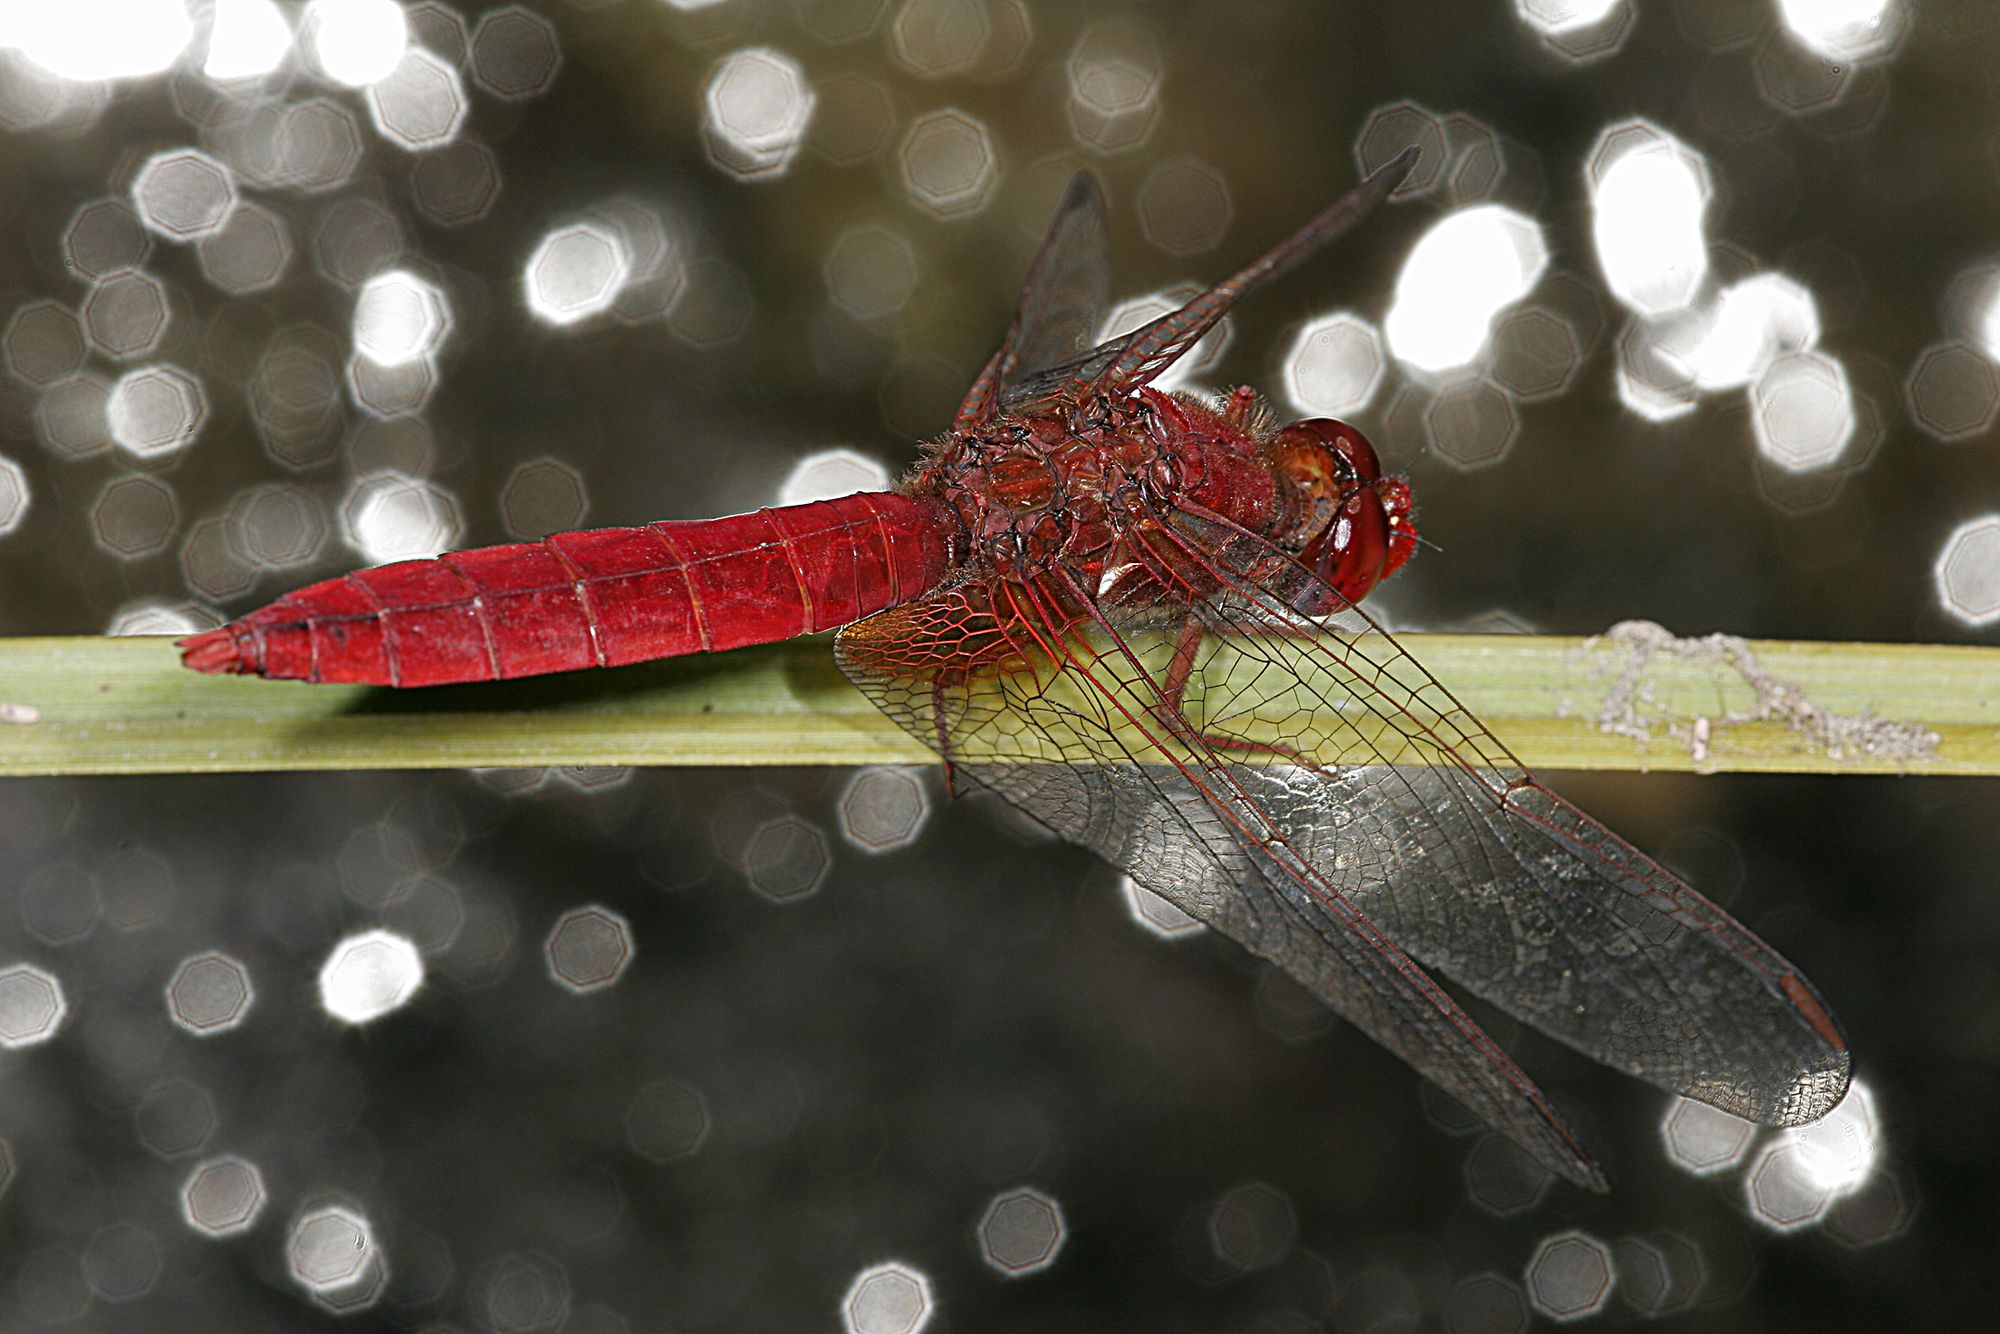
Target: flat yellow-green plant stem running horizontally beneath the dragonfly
127,707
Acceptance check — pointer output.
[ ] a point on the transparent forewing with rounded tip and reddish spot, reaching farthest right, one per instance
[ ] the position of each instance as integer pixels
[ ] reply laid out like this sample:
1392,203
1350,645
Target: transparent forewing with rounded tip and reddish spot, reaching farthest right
1489,877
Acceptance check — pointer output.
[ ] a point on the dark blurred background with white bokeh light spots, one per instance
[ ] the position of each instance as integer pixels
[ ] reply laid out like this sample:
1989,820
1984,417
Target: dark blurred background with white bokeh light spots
717,1051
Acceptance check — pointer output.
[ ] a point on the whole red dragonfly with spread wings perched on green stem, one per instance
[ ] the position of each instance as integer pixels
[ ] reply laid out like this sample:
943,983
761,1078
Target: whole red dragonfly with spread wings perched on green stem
1135,617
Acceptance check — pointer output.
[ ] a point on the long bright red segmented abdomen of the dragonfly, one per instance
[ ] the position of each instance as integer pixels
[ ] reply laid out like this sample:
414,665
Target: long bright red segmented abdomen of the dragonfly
595,599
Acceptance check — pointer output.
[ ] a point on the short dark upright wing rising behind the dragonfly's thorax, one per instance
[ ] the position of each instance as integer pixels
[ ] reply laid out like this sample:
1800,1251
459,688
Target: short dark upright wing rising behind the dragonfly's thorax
1059,305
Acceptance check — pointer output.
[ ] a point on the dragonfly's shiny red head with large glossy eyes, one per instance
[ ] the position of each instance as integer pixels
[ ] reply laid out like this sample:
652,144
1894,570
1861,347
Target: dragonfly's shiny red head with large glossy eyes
1349,523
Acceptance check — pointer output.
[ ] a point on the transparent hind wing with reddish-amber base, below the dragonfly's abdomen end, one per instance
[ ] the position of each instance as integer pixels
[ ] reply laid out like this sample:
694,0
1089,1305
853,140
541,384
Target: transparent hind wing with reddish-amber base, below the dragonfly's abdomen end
1059,713
